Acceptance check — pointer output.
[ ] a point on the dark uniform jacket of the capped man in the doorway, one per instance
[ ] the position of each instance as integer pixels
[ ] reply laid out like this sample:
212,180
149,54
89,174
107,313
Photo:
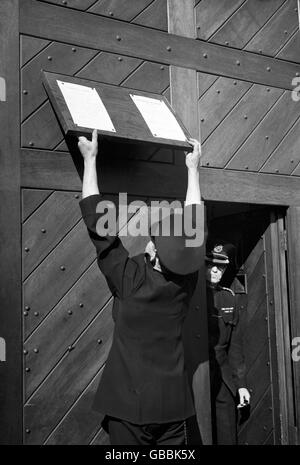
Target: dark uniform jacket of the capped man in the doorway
225,339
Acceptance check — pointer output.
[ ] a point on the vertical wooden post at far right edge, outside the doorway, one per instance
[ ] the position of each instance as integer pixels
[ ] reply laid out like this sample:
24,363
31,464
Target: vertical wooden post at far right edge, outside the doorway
293,251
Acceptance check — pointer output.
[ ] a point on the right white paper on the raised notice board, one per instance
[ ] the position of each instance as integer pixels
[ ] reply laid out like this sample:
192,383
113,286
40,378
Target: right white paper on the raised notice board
159,118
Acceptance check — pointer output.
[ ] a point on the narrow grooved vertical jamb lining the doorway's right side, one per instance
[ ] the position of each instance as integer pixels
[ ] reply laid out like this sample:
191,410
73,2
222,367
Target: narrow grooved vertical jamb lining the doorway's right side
280,310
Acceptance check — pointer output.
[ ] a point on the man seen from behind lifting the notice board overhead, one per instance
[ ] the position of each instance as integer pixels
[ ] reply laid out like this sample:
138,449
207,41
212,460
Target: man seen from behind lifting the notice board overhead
144,391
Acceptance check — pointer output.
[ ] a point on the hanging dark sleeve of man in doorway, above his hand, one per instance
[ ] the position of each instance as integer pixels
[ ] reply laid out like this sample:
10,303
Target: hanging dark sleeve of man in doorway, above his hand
236,355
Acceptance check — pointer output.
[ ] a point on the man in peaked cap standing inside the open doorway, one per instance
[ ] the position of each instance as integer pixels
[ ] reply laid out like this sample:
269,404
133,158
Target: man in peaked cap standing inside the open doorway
227,366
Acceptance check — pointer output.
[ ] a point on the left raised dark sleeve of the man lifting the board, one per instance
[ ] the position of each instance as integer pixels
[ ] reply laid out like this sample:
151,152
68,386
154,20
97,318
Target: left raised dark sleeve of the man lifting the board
122,273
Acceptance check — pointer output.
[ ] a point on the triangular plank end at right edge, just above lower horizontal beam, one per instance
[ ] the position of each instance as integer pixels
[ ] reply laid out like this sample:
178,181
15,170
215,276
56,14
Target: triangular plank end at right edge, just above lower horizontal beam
286,156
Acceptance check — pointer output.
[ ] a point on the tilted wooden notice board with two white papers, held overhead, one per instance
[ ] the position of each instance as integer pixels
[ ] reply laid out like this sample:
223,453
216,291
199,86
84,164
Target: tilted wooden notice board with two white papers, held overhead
121,113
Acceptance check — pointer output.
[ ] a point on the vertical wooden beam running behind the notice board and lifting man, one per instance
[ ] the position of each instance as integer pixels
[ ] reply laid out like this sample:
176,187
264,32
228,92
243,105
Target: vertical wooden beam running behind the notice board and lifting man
184,99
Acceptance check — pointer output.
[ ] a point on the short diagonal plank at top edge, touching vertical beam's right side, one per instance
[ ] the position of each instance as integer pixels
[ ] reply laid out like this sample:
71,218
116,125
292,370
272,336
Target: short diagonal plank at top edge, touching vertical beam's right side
211,14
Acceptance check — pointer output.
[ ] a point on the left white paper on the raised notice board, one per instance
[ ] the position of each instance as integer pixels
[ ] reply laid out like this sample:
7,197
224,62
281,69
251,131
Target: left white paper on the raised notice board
86,106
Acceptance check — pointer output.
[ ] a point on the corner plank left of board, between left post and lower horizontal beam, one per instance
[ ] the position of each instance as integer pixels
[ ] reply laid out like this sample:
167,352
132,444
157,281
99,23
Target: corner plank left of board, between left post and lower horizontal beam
41,129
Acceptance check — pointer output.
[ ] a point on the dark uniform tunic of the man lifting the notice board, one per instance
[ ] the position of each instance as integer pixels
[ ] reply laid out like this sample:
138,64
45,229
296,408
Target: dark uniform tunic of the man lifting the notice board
144,380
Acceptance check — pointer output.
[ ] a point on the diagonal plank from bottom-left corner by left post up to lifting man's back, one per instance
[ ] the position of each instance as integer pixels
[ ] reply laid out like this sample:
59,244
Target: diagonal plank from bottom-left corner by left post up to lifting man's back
69,379
